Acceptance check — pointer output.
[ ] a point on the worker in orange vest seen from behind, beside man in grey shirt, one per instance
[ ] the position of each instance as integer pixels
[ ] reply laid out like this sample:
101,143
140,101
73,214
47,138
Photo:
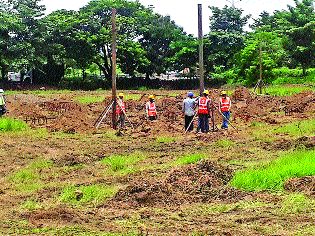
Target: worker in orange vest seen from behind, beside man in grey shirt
204,112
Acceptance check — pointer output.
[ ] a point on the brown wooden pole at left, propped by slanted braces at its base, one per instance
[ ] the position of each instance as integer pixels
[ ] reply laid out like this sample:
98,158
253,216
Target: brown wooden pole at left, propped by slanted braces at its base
114,58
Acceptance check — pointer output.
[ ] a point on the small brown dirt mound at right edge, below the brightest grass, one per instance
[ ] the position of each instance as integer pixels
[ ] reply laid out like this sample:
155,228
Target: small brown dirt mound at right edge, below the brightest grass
305,185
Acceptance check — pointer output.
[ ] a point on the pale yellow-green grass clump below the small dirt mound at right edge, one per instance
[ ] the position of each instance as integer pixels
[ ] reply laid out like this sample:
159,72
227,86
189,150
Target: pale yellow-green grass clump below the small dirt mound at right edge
297,203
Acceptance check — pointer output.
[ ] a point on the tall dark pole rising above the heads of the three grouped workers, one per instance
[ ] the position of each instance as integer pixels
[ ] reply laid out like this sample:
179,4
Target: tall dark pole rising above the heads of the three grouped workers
200,37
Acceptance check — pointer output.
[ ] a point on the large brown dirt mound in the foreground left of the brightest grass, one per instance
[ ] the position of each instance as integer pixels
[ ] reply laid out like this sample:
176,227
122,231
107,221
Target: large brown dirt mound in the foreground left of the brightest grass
204,182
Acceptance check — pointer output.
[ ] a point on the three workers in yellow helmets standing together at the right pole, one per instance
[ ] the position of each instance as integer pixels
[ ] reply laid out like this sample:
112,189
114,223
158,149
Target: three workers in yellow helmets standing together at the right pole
205,108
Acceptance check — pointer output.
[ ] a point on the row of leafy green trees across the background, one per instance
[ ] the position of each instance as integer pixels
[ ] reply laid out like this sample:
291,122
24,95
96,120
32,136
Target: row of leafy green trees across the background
150,43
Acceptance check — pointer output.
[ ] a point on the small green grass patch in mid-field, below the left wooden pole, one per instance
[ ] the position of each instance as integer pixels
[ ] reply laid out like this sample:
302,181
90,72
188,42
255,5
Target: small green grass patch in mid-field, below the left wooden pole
123,164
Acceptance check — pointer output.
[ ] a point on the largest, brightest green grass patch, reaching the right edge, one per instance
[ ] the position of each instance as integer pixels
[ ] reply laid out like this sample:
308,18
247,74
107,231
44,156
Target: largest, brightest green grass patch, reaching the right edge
272,176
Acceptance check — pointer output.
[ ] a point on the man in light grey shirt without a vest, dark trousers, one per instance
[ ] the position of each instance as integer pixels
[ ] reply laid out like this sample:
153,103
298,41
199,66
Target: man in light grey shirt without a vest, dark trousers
189,106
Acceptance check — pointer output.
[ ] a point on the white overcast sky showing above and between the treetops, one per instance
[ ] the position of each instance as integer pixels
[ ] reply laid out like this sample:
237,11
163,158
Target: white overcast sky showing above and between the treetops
184,12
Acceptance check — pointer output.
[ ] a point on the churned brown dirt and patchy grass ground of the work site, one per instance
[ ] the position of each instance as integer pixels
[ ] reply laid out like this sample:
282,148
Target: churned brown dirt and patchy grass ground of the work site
64,177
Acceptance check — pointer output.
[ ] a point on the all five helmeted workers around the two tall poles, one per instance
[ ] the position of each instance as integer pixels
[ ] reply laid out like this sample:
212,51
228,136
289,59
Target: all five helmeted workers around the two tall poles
203,104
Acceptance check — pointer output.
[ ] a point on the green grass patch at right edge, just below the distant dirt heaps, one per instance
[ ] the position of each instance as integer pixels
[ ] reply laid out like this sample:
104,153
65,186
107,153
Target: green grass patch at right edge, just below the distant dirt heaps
300,128
